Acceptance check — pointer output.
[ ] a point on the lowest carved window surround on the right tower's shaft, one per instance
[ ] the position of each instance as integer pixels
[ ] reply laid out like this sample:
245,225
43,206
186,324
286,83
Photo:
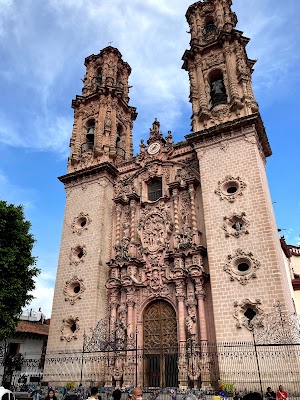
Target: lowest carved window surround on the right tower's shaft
240,314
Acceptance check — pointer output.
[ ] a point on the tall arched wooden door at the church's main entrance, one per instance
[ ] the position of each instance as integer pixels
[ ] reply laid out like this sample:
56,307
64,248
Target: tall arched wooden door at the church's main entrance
160,345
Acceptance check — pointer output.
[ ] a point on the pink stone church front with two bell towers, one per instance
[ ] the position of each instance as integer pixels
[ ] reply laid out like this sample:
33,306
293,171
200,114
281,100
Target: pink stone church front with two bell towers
173,247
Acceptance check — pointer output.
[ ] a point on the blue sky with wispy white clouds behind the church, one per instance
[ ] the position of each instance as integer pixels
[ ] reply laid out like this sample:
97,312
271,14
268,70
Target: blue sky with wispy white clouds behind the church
42,49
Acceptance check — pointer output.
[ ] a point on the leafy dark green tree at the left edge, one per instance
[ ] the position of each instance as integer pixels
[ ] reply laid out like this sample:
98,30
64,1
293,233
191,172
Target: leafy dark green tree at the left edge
17,266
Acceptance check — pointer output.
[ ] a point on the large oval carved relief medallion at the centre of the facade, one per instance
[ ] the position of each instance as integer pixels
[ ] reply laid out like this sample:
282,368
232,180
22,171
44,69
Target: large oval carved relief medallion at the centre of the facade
155,227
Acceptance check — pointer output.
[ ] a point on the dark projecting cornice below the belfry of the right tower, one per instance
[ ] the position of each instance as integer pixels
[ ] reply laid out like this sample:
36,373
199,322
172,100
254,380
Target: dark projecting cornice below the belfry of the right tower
228,130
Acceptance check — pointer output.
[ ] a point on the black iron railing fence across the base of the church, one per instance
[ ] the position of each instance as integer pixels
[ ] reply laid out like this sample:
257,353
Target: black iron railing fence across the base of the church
248,367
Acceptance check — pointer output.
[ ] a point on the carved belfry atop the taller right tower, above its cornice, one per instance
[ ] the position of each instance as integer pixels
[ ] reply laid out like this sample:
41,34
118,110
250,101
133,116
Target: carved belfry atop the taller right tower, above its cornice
218,66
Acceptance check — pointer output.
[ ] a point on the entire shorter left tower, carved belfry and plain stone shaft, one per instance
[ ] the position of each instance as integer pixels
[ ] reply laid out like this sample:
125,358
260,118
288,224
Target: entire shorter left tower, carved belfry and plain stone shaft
101,140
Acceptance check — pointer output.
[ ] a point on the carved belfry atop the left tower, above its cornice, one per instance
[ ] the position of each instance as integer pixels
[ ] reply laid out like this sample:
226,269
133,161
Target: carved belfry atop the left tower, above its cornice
103,119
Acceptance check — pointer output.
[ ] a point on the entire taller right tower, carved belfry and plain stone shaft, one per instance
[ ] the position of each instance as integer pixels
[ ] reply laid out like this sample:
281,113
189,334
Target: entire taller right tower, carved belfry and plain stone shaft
232,146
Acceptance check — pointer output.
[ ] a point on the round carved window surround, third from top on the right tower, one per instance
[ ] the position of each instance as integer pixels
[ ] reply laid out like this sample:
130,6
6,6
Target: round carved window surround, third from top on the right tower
241,267
